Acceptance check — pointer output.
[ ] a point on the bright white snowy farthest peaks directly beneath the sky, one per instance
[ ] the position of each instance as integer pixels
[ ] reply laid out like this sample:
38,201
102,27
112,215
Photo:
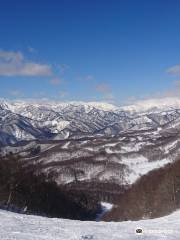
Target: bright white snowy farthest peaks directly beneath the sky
153,104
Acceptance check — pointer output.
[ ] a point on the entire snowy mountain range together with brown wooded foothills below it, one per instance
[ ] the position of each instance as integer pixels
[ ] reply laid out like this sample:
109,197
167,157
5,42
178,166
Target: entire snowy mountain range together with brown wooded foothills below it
98,140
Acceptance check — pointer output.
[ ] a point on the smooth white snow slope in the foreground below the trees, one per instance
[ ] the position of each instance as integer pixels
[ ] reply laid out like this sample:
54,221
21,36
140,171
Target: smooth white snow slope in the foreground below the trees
23,227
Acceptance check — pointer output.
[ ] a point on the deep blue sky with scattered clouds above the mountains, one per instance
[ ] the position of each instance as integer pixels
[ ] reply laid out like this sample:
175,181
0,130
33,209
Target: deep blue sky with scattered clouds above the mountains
110,50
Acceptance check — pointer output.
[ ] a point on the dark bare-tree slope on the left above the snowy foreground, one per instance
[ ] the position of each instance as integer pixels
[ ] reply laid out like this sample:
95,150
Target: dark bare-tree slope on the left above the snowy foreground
24,188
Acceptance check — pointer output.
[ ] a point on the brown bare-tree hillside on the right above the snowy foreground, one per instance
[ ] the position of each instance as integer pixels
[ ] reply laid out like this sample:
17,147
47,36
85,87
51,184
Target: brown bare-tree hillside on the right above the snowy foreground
153,195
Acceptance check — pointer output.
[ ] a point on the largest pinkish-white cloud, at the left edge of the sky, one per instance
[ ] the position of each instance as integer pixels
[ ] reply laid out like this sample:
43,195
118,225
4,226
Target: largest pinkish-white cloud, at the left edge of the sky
14,64
